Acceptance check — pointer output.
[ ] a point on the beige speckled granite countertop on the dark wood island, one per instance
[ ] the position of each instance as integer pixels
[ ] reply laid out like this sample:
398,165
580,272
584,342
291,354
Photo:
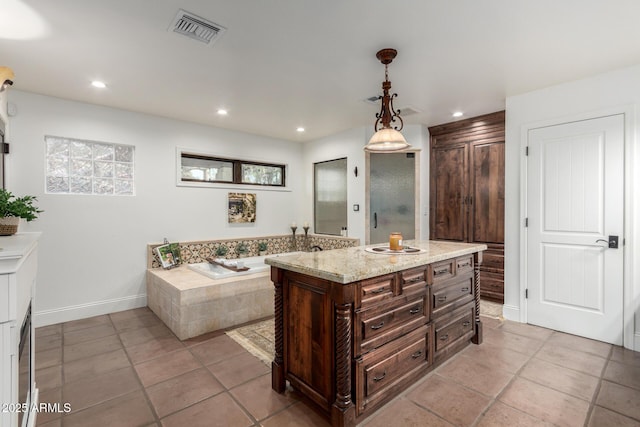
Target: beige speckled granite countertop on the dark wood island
353,264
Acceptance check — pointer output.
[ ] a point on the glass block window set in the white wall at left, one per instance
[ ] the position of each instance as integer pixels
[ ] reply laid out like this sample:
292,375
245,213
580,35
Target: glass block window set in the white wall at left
88,167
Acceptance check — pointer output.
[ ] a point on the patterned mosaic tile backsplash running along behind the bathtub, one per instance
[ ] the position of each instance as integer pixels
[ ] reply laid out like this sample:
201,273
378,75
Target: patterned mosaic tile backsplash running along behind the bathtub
195,252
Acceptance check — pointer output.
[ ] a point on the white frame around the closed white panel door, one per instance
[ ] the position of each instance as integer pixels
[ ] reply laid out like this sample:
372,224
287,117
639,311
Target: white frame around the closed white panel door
631,339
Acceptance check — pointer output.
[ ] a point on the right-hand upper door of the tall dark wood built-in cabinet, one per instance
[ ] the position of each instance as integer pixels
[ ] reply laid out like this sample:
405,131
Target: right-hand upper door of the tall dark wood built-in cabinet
486,221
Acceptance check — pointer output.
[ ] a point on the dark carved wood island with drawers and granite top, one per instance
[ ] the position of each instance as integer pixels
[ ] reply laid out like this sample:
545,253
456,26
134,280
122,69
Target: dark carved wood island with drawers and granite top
354,327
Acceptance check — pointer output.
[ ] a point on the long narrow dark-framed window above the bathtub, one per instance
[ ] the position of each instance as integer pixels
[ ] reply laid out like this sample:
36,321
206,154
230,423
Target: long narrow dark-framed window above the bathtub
200,168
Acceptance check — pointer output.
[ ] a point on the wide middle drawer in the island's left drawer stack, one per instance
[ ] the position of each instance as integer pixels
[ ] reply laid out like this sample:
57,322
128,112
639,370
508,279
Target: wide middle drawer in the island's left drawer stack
381,325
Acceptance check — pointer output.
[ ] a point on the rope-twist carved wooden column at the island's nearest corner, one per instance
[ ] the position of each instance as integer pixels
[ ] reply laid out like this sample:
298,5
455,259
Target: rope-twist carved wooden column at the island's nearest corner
343,409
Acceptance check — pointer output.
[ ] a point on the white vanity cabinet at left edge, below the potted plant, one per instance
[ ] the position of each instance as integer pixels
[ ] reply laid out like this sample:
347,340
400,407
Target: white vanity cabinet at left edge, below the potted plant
18,267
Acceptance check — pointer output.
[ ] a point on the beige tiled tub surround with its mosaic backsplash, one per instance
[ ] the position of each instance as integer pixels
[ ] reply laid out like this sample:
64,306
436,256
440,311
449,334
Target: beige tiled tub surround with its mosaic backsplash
192,304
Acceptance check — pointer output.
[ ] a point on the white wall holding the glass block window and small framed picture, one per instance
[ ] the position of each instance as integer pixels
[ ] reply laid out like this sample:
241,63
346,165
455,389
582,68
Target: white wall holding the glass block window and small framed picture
93,248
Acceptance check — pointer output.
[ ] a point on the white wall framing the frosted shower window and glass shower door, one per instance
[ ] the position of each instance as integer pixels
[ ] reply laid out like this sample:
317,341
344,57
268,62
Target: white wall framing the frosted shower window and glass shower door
350,144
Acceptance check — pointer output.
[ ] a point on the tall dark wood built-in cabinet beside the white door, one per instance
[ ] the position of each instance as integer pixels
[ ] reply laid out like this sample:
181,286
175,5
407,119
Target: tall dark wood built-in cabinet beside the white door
467,191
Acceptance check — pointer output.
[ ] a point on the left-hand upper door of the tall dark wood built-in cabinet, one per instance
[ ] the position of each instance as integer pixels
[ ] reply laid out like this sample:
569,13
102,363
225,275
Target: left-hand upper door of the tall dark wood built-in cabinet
449,174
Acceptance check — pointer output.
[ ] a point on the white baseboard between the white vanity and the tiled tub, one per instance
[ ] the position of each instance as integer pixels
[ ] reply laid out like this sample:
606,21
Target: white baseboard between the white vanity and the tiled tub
82,311
